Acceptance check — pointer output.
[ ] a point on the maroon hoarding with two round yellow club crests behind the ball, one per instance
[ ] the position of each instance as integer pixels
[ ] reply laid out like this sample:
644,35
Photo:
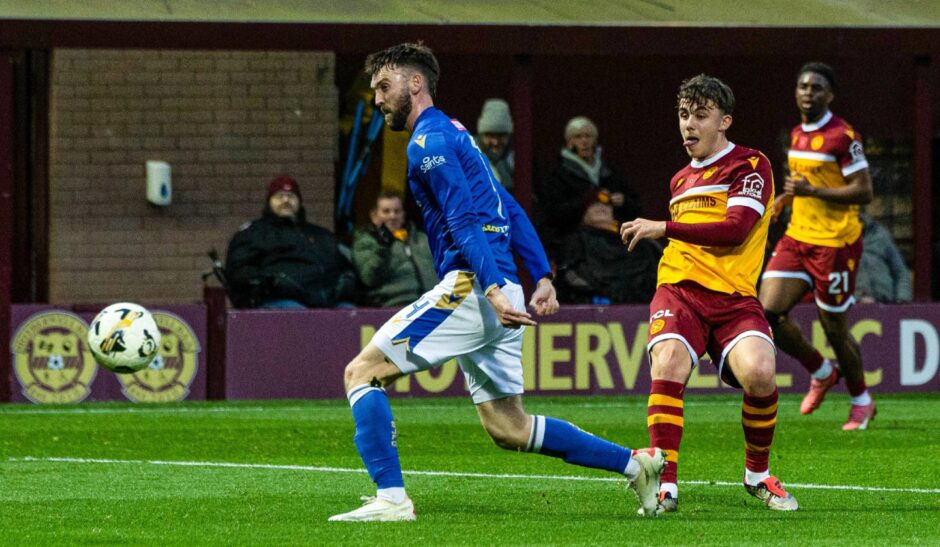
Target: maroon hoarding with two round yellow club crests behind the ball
52,362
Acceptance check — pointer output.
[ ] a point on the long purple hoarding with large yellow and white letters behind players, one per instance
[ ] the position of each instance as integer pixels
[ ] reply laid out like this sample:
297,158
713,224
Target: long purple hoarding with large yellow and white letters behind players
582,350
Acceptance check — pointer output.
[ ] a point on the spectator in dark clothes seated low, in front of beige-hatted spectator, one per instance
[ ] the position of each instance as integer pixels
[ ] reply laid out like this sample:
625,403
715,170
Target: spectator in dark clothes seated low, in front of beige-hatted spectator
595,267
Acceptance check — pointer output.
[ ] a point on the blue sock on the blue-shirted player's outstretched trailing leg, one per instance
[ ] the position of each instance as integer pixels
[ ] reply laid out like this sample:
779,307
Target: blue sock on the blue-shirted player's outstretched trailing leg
561,439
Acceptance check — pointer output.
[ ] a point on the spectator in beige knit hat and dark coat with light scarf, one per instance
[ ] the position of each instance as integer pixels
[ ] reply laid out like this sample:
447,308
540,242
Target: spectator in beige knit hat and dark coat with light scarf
581,172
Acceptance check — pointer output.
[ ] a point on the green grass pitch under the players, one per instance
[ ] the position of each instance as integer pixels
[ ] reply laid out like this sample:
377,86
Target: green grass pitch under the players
272,472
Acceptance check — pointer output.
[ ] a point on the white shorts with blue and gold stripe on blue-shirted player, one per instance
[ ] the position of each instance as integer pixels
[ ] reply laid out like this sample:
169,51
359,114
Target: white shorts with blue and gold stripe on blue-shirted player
454,319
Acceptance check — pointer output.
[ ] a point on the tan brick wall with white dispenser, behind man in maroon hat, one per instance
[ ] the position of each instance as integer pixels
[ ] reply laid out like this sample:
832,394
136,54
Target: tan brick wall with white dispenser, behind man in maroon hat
226,122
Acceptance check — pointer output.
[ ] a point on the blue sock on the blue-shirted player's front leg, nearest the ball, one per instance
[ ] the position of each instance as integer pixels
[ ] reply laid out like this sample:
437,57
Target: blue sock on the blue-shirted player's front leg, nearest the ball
375,435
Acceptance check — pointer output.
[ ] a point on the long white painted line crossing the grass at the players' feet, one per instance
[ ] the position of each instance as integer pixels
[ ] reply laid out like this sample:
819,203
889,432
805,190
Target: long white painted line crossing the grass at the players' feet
321,469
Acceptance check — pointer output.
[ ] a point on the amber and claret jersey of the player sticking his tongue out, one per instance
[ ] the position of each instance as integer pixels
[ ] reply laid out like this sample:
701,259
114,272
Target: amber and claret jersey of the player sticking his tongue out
702,192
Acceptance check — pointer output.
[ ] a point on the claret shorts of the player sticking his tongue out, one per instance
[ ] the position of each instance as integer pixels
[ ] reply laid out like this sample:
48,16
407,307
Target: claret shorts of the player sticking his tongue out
706,322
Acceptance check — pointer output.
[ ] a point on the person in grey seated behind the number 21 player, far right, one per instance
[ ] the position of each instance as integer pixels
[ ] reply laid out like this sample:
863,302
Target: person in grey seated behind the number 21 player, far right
882,274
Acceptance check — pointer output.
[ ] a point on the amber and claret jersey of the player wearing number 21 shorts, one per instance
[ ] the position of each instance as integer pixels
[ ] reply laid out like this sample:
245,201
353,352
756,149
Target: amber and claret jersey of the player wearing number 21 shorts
825,152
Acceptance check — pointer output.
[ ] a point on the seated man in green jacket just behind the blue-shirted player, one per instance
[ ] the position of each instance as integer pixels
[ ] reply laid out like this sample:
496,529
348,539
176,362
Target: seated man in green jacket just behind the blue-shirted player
391,256
